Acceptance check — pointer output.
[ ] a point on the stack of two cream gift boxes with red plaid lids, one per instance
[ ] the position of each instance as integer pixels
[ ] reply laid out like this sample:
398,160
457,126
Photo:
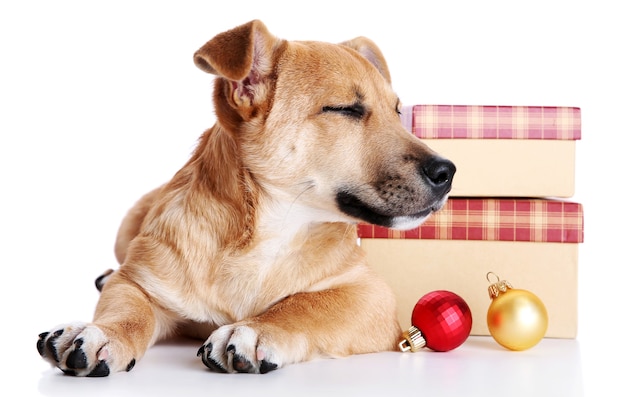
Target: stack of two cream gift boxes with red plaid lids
508,213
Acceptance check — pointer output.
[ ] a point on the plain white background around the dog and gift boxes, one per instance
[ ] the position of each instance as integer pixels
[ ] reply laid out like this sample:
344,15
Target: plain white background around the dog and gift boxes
100,102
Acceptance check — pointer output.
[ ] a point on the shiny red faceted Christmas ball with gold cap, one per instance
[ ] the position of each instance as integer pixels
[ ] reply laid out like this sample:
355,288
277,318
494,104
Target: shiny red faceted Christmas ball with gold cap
441,321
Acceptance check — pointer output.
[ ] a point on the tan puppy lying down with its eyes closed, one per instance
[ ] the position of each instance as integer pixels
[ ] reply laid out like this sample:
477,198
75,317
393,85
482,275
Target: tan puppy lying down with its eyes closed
252,245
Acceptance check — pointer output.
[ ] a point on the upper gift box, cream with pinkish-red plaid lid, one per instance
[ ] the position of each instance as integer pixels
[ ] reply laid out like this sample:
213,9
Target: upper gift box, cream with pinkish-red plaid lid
502,151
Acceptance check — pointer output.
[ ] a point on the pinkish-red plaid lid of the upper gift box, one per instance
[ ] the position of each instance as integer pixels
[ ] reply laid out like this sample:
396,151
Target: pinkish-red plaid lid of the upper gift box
492,122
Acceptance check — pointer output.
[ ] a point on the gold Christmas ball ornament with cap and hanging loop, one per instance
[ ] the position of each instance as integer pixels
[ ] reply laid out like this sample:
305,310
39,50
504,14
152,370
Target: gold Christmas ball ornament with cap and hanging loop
516,318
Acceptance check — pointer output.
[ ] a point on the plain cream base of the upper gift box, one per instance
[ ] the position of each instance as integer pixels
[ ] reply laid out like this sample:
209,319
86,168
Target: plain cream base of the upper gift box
509,167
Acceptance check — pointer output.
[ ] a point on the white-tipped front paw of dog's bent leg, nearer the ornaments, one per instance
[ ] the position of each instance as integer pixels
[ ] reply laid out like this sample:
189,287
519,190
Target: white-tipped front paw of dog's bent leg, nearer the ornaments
239,348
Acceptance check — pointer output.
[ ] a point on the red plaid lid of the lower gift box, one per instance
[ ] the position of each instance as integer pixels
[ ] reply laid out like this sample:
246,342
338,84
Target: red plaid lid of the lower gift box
494,219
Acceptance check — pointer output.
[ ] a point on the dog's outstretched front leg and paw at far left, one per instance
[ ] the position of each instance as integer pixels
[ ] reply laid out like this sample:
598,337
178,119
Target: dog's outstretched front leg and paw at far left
123,328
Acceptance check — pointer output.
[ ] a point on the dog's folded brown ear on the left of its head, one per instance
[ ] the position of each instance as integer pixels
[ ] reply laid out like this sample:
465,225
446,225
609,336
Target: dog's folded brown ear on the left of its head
244,56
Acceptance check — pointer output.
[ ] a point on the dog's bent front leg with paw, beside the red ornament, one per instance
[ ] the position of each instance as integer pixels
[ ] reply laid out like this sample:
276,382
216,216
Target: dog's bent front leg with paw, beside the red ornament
331,323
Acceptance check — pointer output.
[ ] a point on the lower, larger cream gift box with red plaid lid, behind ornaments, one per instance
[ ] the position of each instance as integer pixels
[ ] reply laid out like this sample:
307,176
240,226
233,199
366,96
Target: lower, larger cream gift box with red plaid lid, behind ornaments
532,243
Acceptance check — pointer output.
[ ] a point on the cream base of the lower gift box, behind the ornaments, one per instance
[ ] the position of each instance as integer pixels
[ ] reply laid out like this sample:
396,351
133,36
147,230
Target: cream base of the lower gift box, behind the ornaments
414,267
